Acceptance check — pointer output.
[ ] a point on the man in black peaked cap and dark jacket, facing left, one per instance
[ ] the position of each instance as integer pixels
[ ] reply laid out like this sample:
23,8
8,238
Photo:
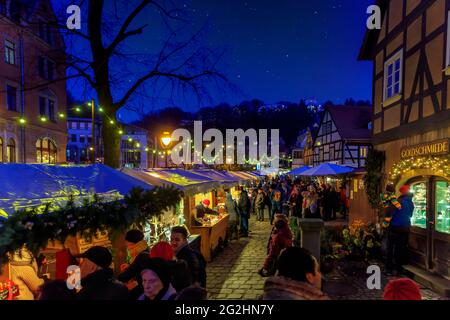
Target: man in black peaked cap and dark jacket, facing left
97,279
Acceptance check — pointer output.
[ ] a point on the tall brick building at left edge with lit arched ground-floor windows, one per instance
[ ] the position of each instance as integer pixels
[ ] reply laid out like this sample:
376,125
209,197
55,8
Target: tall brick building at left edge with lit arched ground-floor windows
32,103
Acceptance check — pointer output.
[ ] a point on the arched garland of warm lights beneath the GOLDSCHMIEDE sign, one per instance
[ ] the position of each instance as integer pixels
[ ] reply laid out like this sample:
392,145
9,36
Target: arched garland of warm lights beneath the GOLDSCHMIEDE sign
439,165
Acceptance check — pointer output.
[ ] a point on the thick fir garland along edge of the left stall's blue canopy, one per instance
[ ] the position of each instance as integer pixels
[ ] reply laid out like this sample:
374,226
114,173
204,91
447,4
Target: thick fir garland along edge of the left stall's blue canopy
35,228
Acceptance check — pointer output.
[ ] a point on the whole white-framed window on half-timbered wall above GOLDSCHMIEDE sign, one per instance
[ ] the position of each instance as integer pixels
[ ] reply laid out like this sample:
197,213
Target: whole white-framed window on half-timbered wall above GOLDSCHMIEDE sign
393,76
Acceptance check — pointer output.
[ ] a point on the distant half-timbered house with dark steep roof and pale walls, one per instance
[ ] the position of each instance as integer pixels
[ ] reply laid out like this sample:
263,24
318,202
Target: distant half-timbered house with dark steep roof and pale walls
344,136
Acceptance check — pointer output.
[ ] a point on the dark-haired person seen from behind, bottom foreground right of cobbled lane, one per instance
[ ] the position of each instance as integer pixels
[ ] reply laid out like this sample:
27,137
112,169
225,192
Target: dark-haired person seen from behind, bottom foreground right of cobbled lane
298,277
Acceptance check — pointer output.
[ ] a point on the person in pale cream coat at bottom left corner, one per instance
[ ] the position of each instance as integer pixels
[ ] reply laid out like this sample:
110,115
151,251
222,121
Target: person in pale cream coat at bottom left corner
24,273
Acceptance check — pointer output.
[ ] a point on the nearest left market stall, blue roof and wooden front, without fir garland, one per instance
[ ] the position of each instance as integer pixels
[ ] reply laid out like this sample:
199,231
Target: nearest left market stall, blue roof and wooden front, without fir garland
49,188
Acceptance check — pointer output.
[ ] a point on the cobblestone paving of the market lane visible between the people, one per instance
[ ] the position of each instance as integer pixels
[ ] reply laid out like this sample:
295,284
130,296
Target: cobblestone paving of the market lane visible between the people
233,273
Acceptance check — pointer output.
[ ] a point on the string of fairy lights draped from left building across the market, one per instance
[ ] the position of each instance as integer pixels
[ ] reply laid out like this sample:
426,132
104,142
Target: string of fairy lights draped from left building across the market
120,130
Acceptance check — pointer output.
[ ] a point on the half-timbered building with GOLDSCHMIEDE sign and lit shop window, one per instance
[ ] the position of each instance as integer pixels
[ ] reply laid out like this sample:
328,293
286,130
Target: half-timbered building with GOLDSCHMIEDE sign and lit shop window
411,117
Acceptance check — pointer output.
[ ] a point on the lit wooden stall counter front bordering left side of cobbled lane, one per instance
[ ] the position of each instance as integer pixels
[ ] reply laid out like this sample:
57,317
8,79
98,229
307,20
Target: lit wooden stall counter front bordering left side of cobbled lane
211,235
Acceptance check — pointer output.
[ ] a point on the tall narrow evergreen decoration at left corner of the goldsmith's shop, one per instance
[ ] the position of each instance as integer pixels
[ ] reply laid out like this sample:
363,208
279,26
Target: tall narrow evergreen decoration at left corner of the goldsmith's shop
374,177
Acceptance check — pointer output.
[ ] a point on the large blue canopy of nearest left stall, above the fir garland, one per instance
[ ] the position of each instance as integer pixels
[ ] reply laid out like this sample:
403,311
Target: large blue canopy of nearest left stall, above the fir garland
33,185
